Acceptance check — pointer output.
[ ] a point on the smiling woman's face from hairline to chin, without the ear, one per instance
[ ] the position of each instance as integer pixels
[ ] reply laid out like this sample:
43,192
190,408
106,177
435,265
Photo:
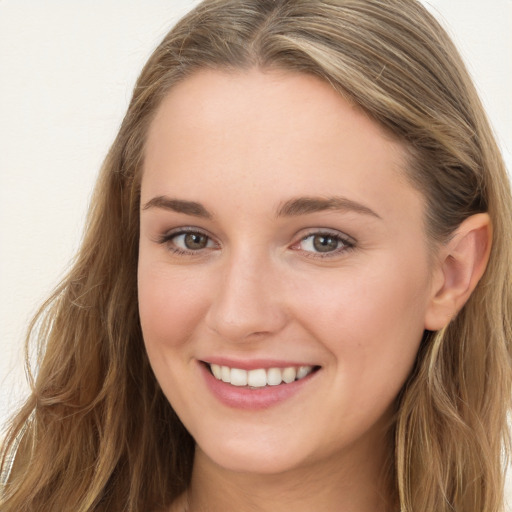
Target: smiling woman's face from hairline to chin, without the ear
283,250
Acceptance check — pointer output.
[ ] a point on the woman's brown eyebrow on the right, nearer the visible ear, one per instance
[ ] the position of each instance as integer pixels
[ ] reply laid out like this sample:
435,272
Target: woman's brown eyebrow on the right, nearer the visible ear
304,205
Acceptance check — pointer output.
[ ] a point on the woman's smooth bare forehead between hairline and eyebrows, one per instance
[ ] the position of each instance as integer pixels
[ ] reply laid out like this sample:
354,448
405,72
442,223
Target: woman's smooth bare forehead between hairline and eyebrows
270,133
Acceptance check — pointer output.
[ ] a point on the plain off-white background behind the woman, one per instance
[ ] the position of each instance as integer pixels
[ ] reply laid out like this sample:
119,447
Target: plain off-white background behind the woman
66,73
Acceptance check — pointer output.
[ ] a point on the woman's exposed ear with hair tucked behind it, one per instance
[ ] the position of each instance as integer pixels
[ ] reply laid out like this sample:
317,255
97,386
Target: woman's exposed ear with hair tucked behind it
462,262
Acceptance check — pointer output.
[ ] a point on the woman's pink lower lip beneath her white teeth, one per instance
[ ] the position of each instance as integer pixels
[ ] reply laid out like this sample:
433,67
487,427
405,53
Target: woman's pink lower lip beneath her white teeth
252,399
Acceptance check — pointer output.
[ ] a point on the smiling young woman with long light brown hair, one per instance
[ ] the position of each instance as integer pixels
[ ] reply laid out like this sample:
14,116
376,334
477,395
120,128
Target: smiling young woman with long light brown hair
294,289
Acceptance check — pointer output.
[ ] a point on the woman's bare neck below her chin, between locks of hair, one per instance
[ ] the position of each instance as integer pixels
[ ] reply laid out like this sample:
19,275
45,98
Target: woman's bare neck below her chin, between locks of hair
338,485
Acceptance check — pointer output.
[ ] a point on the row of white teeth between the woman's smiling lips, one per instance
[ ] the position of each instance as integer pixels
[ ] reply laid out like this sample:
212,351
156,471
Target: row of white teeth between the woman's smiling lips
261,377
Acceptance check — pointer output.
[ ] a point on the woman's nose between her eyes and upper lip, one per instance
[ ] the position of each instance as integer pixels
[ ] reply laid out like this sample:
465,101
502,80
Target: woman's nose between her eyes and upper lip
249,301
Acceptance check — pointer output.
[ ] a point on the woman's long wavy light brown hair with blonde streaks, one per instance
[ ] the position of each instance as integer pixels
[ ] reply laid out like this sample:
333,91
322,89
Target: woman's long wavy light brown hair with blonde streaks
97,433
